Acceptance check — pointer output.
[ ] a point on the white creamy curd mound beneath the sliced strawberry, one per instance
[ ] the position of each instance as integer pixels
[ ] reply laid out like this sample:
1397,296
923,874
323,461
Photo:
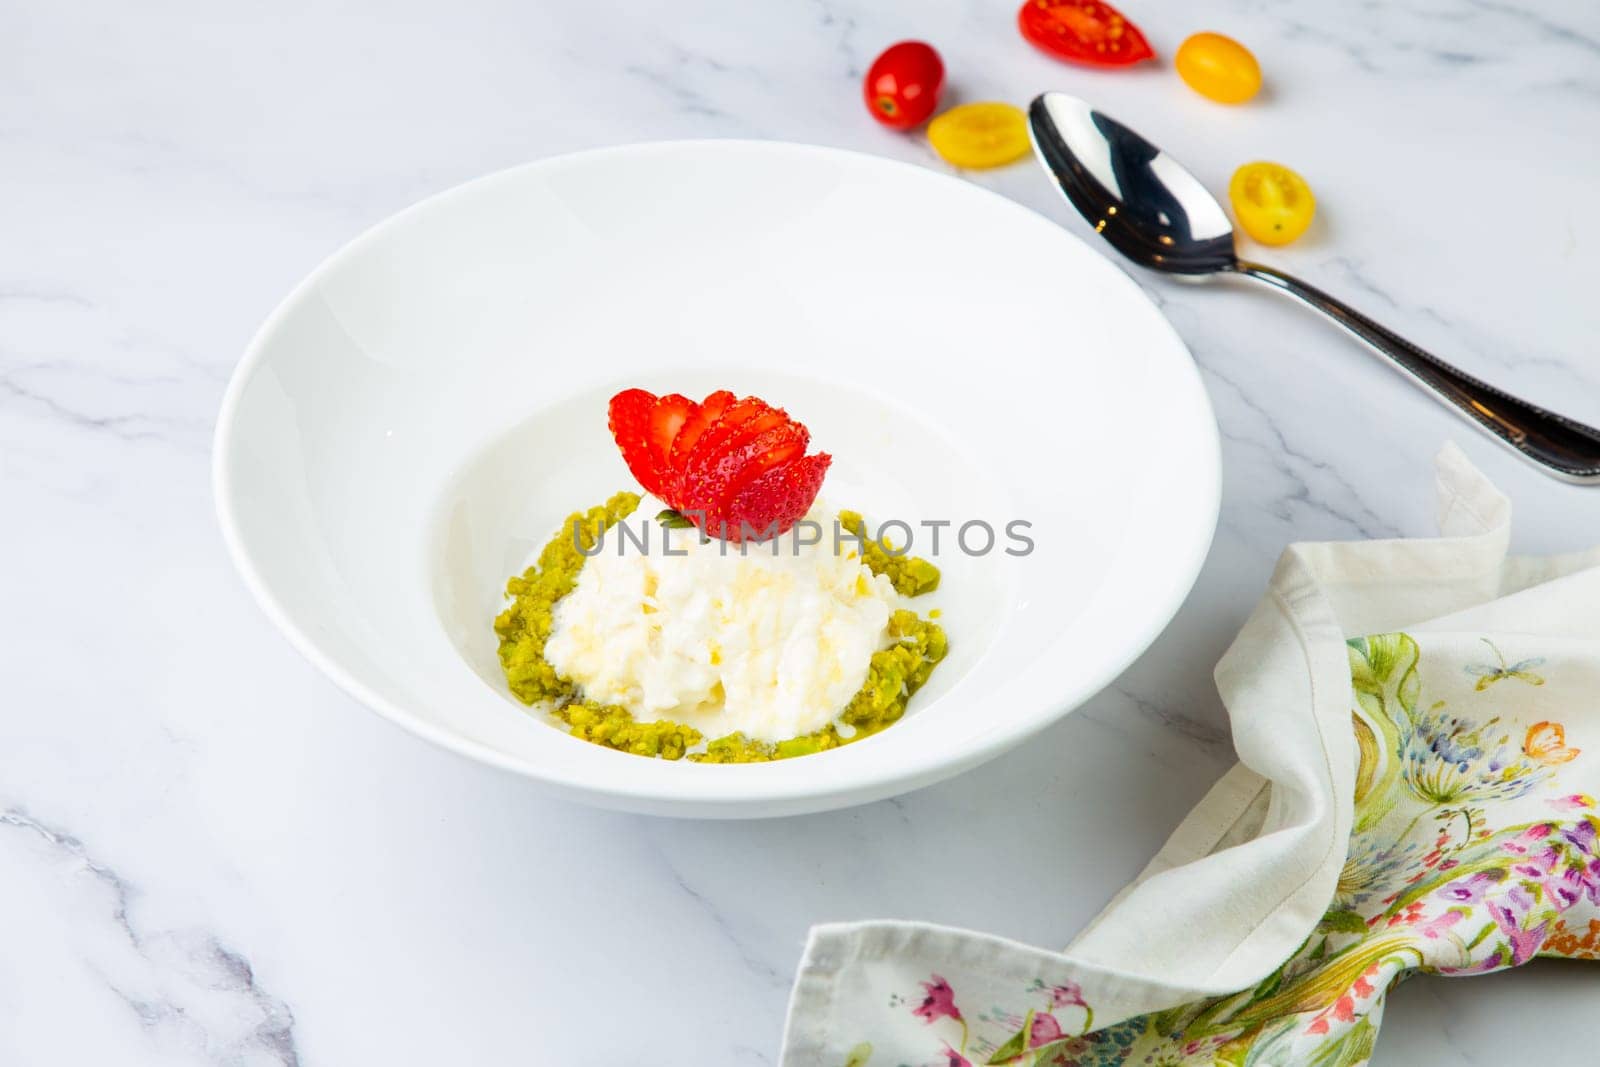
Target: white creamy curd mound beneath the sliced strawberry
767,645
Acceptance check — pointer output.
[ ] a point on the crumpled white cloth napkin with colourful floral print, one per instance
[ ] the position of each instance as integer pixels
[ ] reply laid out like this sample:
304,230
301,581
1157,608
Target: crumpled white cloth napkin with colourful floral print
1418,729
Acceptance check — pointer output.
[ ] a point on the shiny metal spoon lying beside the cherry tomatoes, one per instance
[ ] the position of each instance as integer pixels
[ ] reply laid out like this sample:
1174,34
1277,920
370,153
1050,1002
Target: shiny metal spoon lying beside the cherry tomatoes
1156,214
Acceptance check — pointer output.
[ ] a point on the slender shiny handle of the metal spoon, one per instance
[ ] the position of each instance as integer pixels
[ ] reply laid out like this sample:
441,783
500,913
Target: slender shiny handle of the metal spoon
1562,447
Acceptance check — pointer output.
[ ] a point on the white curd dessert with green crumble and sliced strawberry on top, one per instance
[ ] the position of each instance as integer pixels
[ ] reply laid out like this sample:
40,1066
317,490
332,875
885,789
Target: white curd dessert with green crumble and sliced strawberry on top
726,605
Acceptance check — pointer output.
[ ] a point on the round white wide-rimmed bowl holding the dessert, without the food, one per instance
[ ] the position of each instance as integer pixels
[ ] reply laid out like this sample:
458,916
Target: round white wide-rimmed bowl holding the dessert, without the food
423,412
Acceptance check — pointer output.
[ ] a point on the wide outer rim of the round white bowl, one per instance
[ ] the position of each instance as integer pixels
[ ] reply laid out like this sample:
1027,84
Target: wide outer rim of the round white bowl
633,794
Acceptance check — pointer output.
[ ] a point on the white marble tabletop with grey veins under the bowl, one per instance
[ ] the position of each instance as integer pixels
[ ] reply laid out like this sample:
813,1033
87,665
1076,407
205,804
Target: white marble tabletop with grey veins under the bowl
212,857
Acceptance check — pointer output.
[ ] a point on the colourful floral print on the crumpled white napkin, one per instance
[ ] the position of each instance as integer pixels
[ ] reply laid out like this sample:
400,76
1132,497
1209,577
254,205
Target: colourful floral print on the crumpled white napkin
1471,853
